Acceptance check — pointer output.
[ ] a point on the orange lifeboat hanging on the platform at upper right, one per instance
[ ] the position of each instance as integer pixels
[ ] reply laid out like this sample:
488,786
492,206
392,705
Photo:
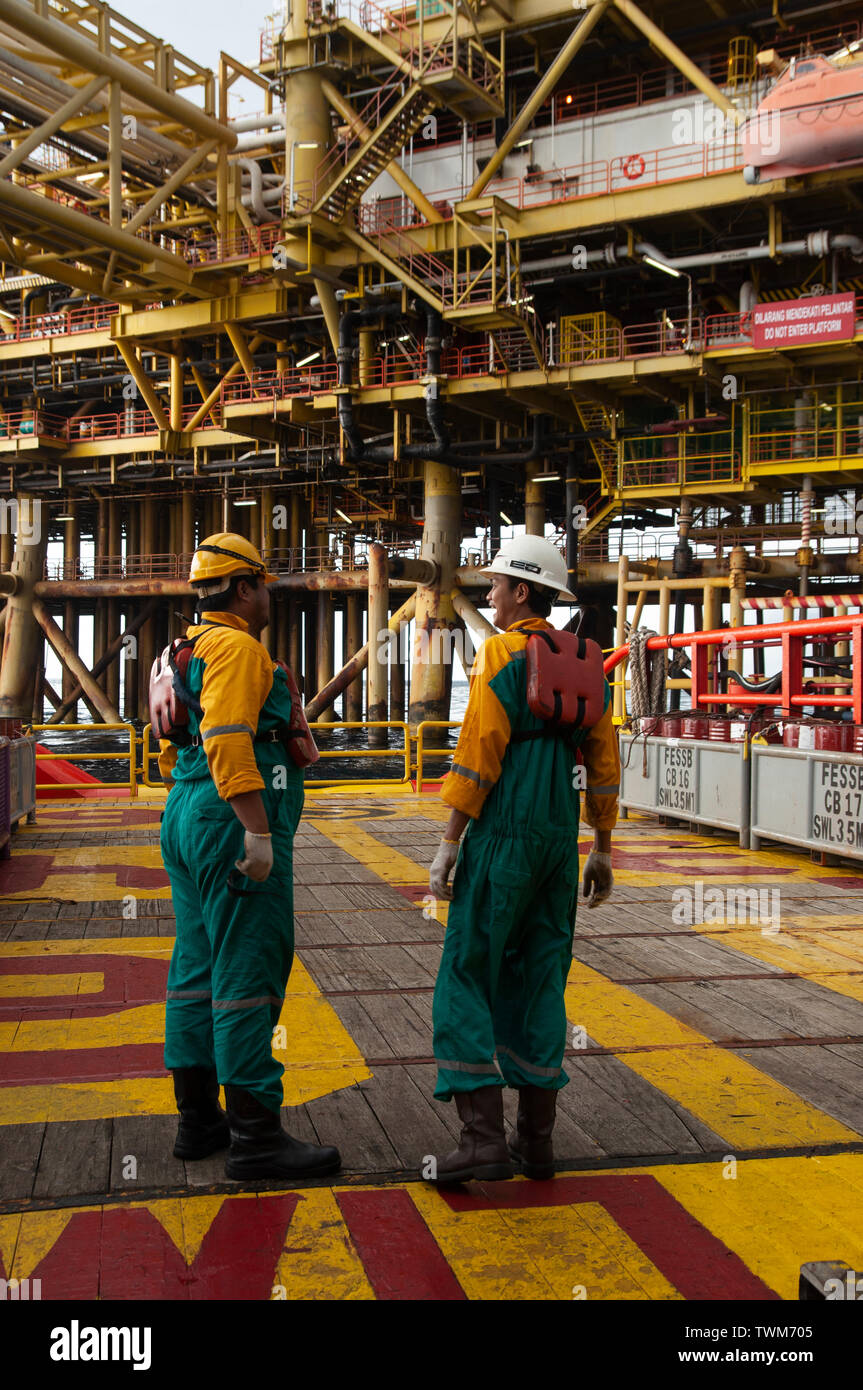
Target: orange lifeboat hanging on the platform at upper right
812,119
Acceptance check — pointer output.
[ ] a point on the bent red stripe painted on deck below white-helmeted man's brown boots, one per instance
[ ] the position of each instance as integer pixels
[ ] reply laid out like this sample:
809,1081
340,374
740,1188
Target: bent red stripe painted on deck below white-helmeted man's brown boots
690,1257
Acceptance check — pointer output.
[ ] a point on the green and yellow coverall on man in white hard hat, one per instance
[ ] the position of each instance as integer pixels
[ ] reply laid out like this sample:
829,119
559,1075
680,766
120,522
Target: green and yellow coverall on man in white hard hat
509,938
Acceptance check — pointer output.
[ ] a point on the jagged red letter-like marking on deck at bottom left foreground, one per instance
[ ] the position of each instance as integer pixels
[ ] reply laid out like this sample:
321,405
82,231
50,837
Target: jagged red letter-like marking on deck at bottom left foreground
127,1254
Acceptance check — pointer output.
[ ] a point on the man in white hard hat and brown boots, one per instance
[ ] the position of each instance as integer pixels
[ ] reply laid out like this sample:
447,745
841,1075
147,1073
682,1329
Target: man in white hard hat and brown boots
500,1015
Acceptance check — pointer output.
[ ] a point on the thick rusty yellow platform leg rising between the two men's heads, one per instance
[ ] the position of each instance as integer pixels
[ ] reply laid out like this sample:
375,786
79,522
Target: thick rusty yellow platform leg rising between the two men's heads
436,621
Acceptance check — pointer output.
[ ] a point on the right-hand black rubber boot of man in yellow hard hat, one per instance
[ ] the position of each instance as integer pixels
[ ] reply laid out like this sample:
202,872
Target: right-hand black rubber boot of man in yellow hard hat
262,1149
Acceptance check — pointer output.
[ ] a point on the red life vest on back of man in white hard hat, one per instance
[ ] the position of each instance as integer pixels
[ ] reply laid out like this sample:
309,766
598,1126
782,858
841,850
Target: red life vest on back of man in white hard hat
565,680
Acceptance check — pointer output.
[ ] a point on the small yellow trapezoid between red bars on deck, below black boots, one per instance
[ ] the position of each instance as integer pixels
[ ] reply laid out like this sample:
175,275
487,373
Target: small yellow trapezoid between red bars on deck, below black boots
320,1261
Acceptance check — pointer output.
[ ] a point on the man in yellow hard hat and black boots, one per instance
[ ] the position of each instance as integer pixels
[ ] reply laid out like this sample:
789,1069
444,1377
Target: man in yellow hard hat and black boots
227,842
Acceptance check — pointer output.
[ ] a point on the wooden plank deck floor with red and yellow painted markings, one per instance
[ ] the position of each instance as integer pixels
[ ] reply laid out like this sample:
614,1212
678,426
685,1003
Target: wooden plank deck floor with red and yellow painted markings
711,1140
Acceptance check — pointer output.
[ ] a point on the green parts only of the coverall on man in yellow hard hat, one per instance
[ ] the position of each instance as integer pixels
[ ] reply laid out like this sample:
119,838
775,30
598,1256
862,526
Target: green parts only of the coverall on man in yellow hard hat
234,953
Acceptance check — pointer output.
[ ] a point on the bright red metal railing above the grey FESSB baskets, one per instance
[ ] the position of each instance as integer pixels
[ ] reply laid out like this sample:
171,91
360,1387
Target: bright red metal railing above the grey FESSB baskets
793,637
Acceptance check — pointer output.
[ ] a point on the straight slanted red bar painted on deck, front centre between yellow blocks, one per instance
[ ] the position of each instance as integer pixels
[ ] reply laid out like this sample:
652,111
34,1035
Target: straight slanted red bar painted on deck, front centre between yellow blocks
401,1256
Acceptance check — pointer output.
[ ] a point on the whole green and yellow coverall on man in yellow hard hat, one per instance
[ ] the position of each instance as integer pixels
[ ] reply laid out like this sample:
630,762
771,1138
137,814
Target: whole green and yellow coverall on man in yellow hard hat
234,953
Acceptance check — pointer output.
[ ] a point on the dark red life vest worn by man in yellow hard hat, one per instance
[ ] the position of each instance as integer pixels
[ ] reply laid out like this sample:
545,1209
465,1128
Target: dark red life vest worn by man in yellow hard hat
170,704
